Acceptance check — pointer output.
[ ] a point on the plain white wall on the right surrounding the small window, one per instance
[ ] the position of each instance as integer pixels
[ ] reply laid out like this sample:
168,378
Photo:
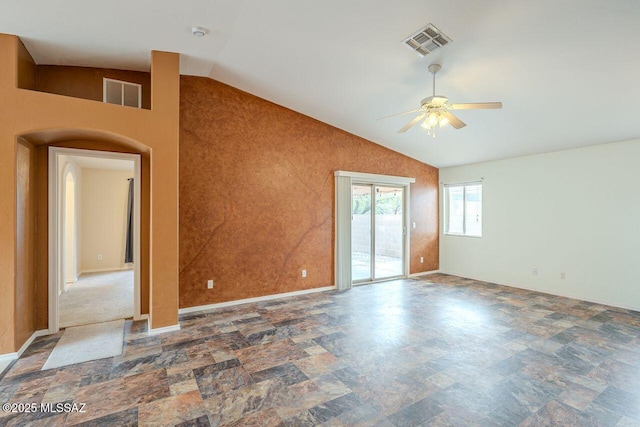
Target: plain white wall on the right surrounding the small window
575,211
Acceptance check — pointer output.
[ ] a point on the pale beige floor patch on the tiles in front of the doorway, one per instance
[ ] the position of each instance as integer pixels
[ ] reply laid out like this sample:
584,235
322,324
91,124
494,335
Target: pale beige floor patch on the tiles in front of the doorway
83,343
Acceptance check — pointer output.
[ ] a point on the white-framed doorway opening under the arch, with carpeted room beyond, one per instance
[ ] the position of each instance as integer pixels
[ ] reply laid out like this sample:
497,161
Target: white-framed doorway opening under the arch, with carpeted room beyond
94,237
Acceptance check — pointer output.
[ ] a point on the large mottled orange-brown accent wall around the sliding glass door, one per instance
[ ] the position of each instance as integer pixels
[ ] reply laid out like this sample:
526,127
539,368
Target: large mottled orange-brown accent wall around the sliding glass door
257,195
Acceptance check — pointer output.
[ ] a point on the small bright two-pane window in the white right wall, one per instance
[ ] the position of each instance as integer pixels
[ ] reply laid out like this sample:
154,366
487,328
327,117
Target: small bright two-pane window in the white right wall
463,209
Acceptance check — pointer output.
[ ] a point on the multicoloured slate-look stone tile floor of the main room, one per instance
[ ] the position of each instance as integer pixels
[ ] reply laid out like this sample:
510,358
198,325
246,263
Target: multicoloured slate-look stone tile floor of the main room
441,350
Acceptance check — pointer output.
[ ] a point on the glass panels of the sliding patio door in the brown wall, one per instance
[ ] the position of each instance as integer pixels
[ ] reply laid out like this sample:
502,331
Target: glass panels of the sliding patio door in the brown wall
377,232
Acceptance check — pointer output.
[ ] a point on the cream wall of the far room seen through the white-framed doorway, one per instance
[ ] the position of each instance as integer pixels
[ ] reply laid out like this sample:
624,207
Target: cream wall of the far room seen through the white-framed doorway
104,207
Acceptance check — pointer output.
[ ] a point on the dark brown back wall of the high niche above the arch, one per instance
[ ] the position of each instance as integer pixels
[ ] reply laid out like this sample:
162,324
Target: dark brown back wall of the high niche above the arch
86,83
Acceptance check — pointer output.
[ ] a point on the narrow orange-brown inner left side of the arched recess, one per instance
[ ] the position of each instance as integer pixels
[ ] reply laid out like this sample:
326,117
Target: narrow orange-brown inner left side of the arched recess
25,315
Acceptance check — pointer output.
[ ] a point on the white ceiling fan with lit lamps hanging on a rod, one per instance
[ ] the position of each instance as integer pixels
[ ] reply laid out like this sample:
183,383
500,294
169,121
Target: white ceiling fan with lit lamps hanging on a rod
435,110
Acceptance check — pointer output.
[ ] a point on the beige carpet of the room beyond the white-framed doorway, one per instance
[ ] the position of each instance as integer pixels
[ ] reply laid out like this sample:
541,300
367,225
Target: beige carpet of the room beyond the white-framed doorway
97,297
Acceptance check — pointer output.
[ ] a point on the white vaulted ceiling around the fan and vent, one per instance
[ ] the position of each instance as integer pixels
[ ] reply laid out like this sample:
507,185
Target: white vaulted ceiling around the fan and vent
566,71
